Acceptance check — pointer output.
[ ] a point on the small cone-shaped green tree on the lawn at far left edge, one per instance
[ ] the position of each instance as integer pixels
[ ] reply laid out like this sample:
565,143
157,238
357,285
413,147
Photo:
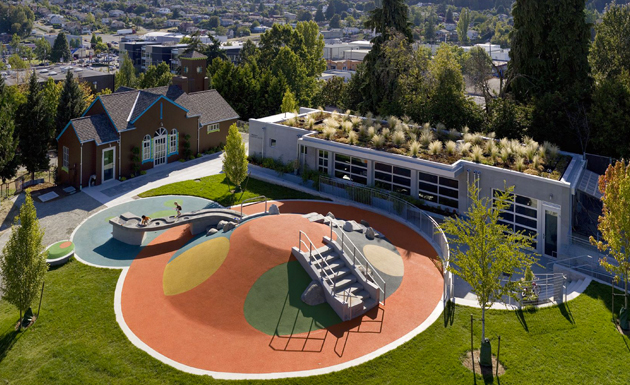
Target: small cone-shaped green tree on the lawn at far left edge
23,261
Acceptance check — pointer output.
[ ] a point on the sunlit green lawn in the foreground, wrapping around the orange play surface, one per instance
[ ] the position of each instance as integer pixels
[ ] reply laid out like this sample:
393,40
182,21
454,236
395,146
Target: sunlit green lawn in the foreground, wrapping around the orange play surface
77,340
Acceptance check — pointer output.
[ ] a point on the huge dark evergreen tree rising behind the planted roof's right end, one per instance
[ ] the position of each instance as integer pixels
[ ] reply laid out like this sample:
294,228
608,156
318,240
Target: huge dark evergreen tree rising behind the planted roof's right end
549,67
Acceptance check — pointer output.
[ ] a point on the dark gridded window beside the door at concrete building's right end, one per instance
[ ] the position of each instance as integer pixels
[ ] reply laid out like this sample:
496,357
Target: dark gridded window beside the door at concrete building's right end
521,215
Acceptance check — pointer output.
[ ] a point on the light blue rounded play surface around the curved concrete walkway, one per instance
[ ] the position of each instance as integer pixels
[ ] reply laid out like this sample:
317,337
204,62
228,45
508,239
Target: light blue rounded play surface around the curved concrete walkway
93,239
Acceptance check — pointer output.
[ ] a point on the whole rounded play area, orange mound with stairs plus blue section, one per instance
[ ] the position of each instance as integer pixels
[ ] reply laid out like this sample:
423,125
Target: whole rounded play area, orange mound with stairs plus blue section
231,301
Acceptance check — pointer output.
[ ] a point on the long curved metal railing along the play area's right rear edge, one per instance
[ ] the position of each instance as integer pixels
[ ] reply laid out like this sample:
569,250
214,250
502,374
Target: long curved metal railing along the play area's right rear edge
384,200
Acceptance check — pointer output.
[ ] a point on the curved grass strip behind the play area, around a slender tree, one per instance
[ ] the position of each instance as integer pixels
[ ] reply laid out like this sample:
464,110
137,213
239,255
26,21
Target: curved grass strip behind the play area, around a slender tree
218,189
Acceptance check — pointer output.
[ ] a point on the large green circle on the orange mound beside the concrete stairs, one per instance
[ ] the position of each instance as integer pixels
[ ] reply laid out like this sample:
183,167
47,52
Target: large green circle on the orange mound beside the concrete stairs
273,304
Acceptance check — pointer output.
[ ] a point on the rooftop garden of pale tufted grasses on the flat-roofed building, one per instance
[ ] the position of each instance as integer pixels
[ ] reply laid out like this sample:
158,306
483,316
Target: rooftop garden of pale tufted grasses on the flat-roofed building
438,144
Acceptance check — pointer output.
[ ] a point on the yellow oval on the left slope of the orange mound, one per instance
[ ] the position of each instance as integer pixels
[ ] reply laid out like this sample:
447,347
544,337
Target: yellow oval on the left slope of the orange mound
194,266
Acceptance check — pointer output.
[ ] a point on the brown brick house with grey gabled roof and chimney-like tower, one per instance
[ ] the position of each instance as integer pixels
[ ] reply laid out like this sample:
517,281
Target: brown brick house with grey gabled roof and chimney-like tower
99,146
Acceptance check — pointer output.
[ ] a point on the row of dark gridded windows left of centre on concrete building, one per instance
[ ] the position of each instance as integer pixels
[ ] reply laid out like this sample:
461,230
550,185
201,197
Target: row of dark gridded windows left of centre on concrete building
432,188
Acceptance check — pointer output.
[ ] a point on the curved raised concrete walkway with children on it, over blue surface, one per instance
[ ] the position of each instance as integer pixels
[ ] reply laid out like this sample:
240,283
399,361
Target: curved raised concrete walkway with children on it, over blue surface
127,227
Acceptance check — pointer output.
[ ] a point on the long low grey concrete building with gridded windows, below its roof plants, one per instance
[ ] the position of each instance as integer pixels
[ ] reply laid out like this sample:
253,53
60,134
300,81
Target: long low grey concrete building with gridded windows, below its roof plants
542,207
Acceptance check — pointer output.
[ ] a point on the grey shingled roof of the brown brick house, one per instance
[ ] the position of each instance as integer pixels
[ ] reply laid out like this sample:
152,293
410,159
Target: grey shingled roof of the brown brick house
125,105
